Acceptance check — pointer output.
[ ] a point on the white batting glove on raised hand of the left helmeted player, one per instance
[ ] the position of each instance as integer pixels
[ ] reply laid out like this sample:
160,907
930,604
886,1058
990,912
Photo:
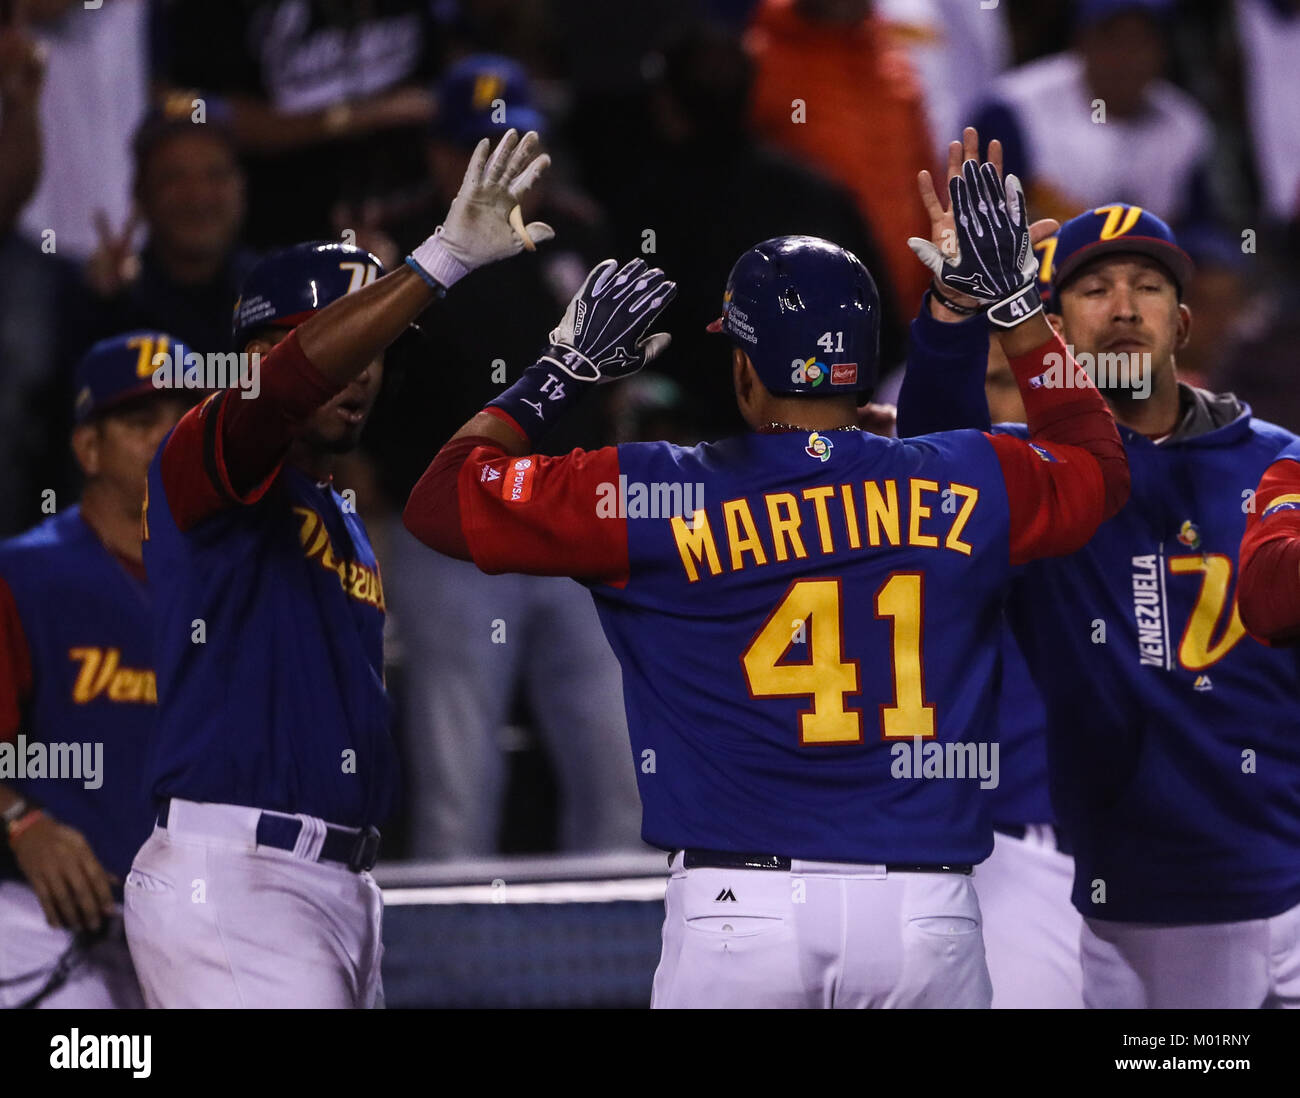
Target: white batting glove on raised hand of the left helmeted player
484,224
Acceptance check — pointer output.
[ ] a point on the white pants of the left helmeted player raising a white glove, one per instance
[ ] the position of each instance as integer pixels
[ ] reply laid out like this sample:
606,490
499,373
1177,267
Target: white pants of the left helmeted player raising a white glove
216,921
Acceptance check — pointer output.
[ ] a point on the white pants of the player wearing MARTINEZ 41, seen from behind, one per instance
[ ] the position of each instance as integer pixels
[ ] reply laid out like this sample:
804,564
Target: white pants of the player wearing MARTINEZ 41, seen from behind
822,935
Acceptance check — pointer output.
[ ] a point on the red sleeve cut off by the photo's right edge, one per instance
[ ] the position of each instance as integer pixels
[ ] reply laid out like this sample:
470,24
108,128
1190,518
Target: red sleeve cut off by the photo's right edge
1268,592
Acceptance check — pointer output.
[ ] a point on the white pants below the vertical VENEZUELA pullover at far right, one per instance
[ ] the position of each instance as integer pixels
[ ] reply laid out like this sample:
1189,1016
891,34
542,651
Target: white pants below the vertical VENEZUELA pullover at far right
1223,966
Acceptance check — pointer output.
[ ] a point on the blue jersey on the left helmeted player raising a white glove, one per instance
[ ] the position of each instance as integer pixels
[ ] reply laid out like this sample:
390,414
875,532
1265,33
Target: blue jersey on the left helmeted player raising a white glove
268,640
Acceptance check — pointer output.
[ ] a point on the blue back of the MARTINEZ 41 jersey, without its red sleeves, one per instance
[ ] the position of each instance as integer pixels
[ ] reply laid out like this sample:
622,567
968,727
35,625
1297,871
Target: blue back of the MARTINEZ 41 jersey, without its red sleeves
779,654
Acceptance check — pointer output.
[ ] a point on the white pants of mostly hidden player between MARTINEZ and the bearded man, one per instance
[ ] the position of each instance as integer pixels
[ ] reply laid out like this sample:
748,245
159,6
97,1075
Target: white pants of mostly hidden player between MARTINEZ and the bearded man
1032,928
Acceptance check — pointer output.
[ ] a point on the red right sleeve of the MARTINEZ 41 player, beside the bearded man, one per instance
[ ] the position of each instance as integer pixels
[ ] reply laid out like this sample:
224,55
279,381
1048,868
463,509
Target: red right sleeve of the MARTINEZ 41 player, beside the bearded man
1073,474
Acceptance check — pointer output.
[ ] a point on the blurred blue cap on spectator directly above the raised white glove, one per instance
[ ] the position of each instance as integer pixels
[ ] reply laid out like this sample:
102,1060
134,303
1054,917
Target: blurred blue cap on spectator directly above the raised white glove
483,97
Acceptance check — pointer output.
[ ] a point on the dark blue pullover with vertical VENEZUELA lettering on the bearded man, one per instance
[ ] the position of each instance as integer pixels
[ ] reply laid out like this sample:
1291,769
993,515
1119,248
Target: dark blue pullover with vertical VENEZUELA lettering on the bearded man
1173,739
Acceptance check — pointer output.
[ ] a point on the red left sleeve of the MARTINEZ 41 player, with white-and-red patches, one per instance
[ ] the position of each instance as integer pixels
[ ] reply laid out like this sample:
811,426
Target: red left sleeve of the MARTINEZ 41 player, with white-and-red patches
535,515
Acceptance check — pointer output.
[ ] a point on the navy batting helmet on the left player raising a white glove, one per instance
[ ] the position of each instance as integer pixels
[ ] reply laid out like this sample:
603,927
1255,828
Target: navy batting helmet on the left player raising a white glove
289,287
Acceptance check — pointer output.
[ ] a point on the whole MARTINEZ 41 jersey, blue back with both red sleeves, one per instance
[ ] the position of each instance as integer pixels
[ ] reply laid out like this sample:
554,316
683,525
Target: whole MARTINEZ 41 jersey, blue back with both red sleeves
808,624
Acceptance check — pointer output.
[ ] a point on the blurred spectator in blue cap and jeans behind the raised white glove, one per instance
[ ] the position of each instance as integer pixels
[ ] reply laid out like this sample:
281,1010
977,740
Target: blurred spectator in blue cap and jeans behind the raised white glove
471,641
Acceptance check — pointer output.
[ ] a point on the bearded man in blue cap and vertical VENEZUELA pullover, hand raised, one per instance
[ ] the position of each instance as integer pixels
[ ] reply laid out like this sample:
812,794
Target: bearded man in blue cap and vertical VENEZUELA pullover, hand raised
1173,749
